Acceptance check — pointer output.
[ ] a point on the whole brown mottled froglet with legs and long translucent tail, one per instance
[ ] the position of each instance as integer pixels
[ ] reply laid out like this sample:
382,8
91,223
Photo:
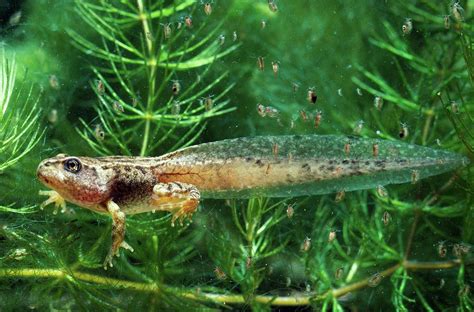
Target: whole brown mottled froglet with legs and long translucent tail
273,166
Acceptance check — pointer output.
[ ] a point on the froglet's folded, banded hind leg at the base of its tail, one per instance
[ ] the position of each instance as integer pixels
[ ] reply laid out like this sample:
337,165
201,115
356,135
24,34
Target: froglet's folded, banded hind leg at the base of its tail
181,199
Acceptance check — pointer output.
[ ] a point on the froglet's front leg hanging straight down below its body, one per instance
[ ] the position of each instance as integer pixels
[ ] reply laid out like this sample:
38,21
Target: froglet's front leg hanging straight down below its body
118,232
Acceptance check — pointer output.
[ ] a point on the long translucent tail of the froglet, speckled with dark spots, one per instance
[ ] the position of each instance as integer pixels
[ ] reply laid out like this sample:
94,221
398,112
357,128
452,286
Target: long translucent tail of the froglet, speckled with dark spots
286,166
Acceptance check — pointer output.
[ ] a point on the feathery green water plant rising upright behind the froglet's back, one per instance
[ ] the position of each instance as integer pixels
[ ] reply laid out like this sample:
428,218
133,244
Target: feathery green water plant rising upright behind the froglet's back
145,48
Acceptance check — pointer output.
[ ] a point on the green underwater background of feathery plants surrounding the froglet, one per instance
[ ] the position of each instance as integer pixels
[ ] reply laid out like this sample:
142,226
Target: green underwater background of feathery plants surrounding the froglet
143,78
